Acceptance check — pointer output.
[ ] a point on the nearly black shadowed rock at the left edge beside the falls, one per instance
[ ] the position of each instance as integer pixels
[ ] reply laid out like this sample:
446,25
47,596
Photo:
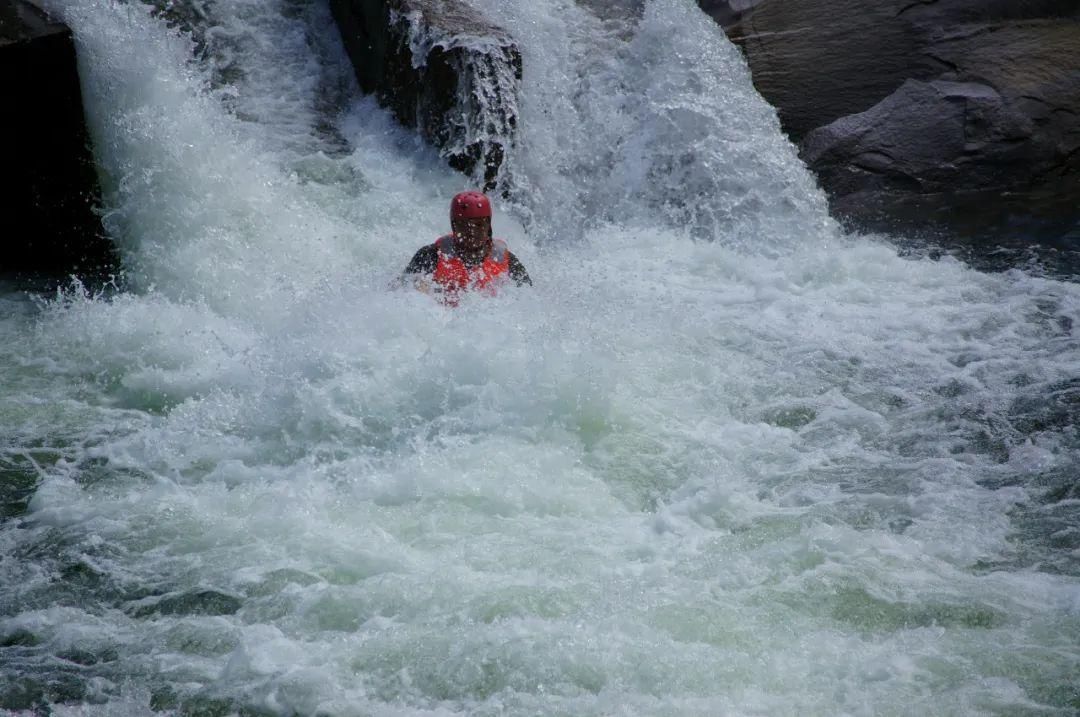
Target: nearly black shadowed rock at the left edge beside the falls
51,187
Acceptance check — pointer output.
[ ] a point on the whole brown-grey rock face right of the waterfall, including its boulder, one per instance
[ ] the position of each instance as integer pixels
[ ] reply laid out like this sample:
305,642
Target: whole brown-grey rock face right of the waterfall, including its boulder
943,111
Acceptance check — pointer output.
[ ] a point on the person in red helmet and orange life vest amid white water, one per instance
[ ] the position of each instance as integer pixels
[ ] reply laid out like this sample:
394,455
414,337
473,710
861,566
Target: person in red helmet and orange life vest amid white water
468,259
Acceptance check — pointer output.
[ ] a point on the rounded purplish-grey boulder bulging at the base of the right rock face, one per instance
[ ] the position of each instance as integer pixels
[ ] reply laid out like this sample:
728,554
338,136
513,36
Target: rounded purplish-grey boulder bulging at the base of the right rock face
947,155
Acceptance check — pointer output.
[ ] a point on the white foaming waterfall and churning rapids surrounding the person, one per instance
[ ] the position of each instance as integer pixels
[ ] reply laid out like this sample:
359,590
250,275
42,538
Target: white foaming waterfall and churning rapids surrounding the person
784,471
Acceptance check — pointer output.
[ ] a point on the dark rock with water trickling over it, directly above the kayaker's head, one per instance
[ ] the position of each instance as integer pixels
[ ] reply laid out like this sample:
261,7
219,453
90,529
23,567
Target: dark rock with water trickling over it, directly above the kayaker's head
441,69
